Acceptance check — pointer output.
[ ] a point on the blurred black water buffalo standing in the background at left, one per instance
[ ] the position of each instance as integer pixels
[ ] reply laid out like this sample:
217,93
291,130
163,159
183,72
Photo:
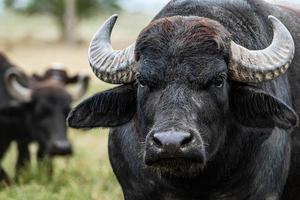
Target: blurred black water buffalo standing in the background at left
34,109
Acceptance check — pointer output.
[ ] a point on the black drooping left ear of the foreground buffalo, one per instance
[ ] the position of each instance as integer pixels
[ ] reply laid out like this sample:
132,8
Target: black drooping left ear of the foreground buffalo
110,108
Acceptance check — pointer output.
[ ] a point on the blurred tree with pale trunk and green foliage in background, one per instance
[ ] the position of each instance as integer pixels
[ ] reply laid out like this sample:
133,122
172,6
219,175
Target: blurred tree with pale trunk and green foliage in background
66,12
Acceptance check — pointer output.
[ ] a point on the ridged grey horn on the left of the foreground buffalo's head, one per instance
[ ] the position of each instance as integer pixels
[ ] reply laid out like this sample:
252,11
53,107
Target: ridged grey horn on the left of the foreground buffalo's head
109,65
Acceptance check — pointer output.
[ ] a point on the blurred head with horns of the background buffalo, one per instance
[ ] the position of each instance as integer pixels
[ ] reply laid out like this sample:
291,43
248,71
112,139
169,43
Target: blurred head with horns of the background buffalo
46,101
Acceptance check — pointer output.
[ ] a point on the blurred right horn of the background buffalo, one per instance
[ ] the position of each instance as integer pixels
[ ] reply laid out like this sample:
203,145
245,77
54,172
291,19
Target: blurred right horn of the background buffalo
80,87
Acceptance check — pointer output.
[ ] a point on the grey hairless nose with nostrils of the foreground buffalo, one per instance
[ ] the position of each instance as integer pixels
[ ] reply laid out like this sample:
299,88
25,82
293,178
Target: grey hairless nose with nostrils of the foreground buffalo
171,139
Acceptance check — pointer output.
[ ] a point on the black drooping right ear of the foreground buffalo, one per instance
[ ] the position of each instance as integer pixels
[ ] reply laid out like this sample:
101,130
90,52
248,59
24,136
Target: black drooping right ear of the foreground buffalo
255,108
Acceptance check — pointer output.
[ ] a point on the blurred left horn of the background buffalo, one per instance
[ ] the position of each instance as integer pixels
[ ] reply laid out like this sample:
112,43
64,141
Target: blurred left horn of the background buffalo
12,79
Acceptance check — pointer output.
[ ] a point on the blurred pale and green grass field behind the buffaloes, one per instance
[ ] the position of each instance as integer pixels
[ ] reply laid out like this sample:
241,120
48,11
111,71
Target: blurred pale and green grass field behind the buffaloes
31,42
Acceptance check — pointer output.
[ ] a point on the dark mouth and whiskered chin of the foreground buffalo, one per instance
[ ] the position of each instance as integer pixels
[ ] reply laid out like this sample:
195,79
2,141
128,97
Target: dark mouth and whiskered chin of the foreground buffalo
177,167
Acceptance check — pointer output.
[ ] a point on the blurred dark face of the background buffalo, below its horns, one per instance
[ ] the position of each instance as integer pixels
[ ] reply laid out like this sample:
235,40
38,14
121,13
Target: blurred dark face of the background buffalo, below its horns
49,111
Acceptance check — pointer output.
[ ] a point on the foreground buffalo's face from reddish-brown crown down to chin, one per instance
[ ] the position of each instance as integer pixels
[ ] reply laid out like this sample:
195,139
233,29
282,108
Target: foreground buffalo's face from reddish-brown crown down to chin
182,89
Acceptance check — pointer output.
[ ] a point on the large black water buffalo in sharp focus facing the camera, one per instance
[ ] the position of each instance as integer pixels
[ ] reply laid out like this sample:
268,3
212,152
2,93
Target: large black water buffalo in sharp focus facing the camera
206,110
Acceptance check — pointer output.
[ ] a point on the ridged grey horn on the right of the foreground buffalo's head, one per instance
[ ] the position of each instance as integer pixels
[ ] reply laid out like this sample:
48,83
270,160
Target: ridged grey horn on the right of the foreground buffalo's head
263,65
